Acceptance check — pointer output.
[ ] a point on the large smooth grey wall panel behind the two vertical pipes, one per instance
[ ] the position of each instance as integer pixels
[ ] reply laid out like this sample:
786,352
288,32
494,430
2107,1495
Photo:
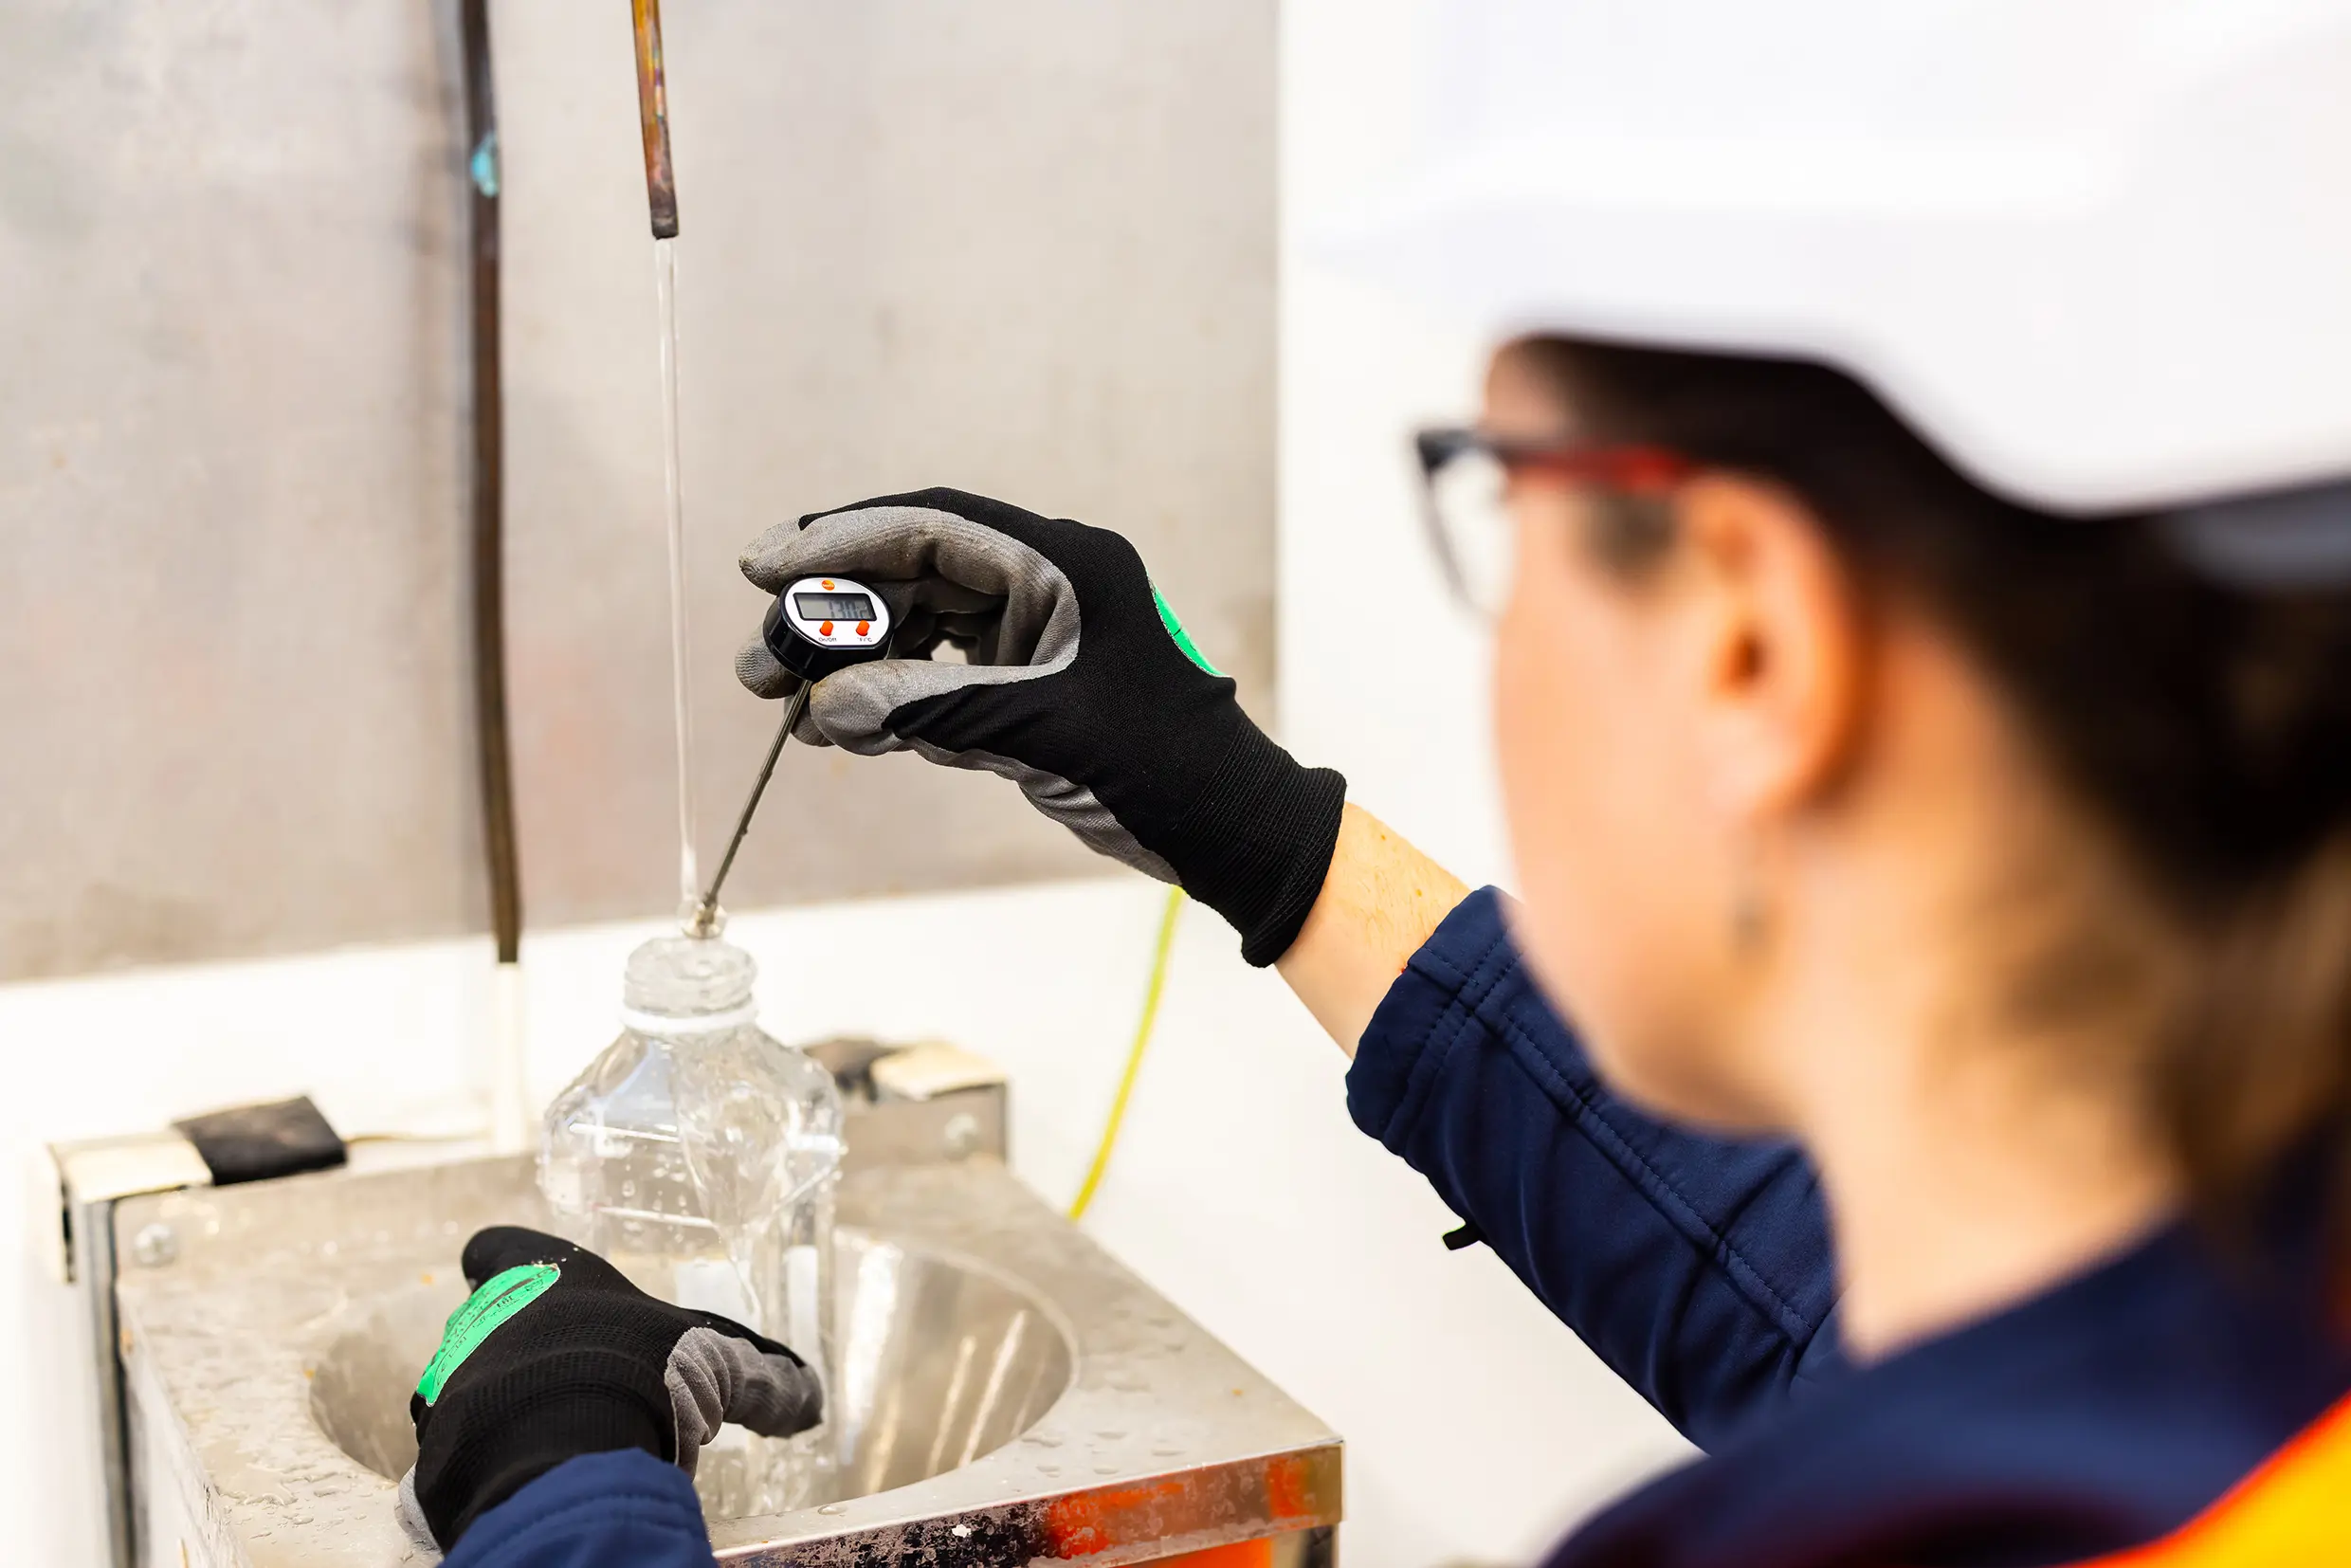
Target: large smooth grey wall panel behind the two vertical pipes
1024,248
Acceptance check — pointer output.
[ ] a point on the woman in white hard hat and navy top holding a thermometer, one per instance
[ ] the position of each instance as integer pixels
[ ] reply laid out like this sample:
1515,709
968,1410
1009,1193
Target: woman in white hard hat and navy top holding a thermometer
1929,760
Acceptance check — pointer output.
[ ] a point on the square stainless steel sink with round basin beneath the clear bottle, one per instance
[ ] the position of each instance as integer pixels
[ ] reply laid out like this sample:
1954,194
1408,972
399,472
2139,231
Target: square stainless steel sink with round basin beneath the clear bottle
1012,1395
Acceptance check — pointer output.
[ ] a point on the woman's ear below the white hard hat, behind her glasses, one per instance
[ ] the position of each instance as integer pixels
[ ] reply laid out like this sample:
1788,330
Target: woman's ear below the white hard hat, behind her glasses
1779,645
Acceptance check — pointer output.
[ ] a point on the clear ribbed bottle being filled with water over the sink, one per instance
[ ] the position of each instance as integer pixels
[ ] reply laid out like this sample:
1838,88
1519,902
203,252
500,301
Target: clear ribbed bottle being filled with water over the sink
699,1155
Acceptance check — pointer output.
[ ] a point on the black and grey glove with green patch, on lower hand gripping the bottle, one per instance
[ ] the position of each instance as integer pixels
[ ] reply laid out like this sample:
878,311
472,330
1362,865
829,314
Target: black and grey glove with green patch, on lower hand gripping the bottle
556,1355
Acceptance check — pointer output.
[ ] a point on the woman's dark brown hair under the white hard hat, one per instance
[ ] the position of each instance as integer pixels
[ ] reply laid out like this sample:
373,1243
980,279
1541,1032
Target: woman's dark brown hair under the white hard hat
2206,728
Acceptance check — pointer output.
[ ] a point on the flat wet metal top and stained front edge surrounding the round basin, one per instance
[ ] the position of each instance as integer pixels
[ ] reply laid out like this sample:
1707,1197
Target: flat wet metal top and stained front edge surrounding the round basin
1163,1435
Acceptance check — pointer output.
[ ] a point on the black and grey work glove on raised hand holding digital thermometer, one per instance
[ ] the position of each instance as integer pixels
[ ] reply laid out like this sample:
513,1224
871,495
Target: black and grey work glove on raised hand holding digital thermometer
1080,688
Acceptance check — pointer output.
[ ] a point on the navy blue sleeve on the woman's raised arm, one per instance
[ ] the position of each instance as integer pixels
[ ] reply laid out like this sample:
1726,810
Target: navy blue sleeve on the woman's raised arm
1701,1271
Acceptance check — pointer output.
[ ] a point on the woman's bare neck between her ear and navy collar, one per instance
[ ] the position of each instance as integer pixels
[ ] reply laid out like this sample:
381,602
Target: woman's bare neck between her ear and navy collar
1953,1003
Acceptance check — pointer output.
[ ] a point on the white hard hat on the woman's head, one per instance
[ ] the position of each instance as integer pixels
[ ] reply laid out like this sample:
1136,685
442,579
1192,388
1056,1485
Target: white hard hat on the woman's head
2096,250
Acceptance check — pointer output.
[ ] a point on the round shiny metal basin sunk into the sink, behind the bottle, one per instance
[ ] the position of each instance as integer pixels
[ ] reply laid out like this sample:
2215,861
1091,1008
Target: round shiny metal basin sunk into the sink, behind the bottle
944,1362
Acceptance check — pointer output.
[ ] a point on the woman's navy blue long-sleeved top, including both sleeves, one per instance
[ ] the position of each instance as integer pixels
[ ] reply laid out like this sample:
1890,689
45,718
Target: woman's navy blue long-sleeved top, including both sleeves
2098,1416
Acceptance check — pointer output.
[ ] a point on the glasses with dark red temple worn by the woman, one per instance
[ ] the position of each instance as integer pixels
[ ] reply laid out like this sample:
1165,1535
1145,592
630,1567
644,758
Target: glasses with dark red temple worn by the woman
1466,481
